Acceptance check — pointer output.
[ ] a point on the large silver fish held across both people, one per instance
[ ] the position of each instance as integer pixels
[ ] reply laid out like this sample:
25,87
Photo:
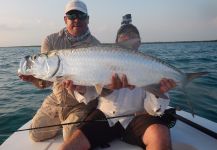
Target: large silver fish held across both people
95,65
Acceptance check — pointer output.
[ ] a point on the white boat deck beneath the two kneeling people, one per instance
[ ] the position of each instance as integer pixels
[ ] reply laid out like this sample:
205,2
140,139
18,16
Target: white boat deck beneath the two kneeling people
184,137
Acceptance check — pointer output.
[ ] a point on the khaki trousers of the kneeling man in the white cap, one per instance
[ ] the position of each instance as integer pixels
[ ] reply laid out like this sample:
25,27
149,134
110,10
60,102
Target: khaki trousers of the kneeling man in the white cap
51,113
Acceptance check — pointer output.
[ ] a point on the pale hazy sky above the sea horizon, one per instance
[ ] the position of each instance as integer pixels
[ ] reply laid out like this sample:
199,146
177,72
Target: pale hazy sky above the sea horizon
28,22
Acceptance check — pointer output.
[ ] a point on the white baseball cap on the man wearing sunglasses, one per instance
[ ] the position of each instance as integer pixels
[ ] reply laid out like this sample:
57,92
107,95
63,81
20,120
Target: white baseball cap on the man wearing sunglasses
76,5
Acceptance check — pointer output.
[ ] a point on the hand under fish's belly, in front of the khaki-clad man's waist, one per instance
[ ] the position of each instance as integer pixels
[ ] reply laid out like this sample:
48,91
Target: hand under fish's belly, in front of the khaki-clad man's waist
68,84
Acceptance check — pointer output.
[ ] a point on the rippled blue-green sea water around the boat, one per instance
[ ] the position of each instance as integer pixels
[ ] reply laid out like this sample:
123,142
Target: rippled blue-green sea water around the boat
19,100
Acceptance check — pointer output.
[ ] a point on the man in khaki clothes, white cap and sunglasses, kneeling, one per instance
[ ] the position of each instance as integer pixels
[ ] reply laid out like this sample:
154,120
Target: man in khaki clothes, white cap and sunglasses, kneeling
60,106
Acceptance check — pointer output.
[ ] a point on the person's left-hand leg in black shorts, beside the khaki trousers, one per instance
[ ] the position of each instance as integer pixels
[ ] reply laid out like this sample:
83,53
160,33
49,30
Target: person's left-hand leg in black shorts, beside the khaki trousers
92,134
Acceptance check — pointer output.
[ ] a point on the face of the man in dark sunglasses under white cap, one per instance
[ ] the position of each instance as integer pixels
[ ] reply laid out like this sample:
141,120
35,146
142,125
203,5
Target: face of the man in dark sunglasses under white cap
76,22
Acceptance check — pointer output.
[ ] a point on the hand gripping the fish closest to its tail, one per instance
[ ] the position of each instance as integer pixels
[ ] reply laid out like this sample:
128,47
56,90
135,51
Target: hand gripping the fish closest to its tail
166,85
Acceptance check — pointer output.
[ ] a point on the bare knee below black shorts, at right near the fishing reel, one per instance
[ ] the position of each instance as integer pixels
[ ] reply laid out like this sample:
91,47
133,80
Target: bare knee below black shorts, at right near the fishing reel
157,137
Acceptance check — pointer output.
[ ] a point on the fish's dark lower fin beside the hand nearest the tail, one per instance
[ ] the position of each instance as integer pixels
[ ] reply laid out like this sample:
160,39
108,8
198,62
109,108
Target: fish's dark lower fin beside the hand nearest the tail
155,89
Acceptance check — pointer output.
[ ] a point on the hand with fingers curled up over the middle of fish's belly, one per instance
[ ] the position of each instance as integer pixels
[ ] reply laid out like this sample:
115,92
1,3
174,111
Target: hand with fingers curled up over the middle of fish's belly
117,82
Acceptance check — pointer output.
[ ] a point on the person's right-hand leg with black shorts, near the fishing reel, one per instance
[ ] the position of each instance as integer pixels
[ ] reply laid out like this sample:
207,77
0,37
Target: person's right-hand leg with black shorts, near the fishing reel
149,132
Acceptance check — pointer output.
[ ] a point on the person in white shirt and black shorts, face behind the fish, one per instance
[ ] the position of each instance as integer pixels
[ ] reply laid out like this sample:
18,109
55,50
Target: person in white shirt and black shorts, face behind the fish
148,131
